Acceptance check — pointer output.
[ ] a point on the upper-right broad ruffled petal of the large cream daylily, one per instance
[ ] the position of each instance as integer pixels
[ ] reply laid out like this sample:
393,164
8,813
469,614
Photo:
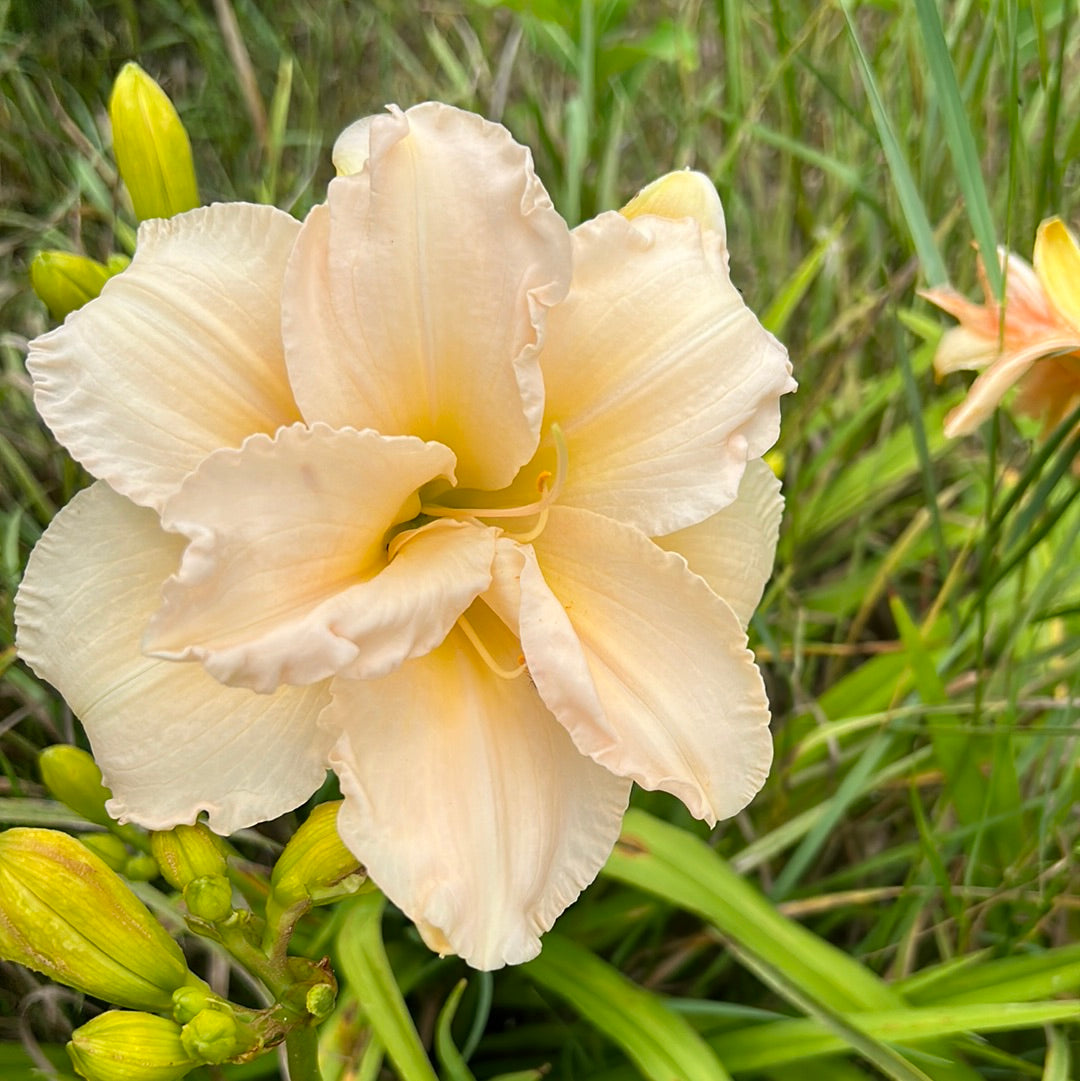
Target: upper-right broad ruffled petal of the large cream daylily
662,380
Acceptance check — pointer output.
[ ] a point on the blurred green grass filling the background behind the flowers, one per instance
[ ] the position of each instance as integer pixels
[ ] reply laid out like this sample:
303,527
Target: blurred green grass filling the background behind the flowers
922,636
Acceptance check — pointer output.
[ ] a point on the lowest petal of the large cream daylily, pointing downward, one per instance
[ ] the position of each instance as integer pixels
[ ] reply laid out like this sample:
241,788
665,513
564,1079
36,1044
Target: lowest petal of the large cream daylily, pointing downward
469,804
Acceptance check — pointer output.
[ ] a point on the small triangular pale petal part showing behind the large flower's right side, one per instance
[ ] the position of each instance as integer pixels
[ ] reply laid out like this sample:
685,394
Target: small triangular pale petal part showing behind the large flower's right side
735,550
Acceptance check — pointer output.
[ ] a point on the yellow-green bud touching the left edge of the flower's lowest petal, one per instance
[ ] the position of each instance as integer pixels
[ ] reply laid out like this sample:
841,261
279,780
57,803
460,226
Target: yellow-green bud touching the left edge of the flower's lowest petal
315,864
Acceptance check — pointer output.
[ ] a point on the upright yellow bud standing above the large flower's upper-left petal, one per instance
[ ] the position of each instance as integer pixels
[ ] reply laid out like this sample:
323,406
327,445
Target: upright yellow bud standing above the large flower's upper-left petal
152,148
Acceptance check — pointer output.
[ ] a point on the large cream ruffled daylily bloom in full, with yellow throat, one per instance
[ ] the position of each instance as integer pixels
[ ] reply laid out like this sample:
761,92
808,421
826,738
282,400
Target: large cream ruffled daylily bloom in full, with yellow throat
379,492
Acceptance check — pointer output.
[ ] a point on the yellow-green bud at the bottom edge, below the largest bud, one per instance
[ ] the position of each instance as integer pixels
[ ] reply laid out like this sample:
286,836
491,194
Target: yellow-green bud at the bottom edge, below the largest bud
123,1046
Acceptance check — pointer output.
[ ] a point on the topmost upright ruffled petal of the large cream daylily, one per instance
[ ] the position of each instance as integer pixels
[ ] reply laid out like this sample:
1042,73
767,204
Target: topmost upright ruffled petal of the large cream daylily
416,297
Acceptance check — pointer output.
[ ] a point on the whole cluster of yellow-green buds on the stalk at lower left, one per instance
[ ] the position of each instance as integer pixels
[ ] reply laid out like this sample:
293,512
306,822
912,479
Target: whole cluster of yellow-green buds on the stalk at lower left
65,912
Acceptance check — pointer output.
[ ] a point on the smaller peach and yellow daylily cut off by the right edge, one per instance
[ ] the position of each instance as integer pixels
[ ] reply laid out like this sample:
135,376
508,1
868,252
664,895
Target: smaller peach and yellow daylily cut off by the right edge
1034,343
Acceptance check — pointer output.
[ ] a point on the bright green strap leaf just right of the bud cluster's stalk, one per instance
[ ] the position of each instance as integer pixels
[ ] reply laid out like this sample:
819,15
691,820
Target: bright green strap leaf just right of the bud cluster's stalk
367,970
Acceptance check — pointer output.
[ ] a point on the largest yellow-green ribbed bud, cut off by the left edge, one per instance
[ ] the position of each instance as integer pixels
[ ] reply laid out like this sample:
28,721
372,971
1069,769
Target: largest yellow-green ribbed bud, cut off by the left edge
63,913
